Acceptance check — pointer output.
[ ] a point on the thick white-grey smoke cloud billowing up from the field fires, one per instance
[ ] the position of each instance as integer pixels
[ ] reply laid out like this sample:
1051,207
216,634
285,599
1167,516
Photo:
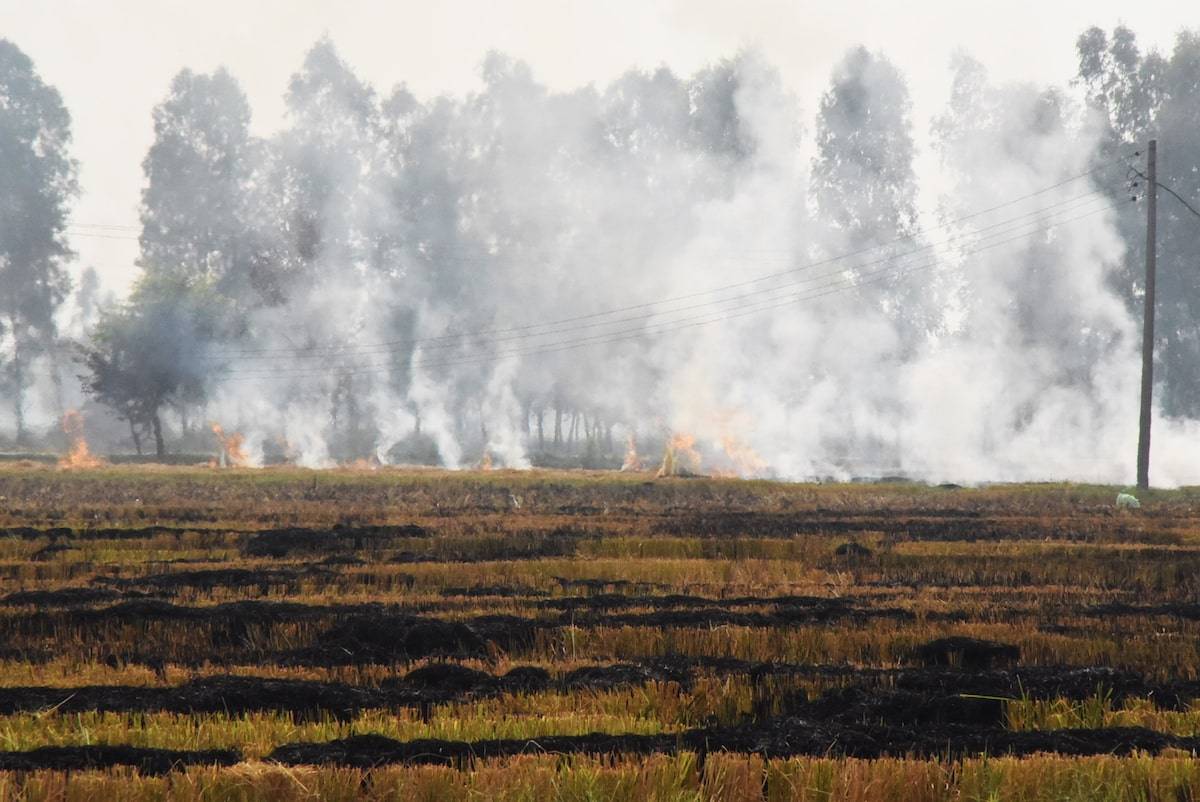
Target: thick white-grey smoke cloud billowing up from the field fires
421,247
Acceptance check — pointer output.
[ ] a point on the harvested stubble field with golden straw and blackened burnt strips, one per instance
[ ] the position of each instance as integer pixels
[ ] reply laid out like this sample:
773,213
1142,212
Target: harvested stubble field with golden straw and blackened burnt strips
284,635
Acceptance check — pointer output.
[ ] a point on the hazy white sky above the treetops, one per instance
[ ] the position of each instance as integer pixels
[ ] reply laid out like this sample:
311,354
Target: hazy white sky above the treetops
113,59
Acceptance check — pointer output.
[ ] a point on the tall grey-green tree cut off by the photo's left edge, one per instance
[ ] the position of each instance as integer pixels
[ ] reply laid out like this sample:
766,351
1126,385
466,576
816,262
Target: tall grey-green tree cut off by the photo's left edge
38,177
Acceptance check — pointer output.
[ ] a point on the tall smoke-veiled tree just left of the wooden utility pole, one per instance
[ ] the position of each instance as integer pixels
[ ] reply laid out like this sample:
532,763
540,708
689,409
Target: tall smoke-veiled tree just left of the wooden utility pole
1031,296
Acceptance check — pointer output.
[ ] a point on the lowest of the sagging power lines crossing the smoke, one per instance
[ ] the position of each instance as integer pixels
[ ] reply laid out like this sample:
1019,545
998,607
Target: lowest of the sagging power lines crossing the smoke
677,326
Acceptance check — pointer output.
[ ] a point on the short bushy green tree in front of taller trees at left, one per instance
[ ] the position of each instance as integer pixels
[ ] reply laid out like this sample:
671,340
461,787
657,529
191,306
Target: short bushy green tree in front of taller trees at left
148,355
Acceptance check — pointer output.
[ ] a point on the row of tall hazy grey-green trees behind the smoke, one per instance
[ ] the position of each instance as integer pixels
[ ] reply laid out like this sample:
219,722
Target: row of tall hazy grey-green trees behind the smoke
351,266
